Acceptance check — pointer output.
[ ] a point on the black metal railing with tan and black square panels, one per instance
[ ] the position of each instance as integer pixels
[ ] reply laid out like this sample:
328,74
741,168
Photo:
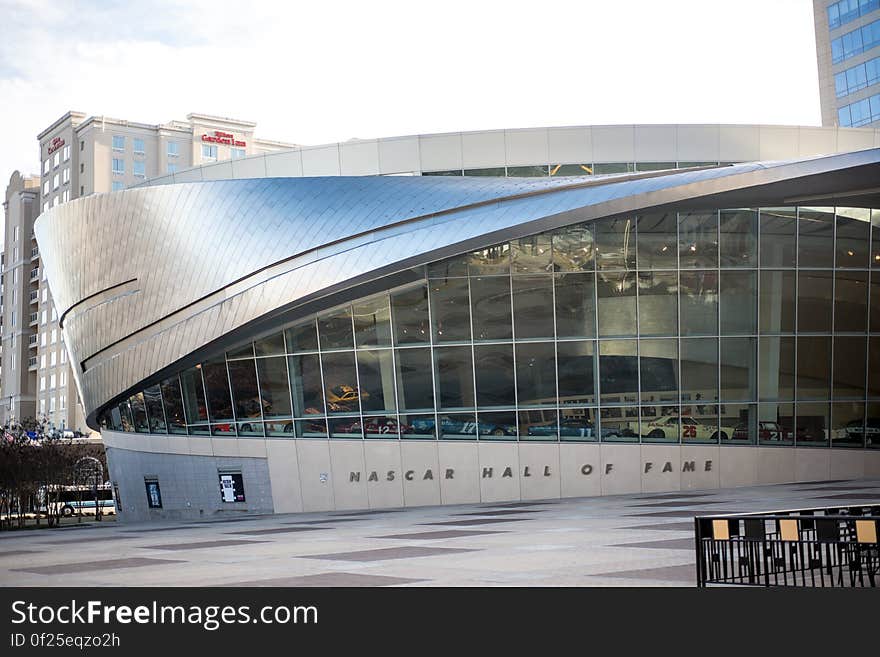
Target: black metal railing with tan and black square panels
822,547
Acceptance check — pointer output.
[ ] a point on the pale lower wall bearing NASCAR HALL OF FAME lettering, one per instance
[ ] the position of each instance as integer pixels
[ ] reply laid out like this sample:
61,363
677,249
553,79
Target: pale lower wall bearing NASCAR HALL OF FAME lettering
290,476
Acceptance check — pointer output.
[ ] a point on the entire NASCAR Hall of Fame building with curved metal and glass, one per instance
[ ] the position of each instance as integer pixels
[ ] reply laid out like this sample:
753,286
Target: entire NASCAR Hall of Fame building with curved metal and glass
555,312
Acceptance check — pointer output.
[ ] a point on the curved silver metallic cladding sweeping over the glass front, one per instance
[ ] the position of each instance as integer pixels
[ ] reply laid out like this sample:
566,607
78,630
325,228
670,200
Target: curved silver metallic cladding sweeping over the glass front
194,261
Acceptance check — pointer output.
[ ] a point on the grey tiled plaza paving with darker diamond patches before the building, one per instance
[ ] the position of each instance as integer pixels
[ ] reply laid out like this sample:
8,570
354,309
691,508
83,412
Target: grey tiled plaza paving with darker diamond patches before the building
643,539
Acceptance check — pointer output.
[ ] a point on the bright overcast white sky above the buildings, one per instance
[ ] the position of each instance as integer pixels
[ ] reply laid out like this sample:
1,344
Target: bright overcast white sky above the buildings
313,72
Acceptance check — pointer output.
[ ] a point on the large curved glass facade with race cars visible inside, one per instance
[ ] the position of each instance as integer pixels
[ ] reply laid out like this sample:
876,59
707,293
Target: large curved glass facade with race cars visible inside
731,326
